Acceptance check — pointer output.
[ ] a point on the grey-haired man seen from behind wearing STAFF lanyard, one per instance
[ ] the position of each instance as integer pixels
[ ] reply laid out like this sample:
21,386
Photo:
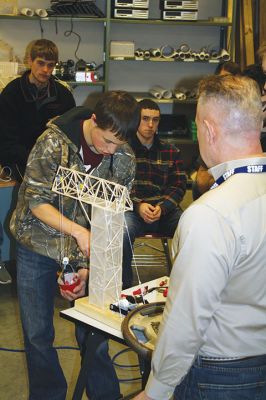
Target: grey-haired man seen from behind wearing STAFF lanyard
212,338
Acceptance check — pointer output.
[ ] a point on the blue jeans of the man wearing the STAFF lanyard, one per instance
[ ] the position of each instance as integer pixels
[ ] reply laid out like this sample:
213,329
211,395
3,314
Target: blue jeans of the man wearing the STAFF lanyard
224,380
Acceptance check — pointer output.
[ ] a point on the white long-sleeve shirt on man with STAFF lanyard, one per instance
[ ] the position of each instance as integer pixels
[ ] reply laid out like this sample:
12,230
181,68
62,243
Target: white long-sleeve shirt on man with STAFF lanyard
216,304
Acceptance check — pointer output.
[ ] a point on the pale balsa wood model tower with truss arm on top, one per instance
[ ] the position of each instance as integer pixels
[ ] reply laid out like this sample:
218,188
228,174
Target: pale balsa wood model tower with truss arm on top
108,202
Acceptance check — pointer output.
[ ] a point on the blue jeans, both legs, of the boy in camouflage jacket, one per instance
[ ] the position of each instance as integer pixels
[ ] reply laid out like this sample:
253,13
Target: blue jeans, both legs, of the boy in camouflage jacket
37,286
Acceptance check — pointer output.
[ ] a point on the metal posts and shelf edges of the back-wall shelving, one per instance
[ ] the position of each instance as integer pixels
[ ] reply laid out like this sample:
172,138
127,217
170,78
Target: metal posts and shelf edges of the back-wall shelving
226,27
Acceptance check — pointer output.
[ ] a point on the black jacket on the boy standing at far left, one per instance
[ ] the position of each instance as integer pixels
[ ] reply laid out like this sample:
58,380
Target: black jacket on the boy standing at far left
23,118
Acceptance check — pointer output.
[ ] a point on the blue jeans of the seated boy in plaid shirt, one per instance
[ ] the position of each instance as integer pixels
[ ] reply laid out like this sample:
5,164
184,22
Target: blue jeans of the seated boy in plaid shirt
135,226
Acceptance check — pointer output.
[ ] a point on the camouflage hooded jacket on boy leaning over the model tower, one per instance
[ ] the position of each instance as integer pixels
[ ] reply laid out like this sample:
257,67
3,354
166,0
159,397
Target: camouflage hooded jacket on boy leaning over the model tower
60,145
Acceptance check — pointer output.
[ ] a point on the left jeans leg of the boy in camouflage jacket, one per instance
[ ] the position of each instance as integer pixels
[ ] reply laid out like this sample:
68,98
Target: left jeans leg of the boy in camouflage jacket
37,284
